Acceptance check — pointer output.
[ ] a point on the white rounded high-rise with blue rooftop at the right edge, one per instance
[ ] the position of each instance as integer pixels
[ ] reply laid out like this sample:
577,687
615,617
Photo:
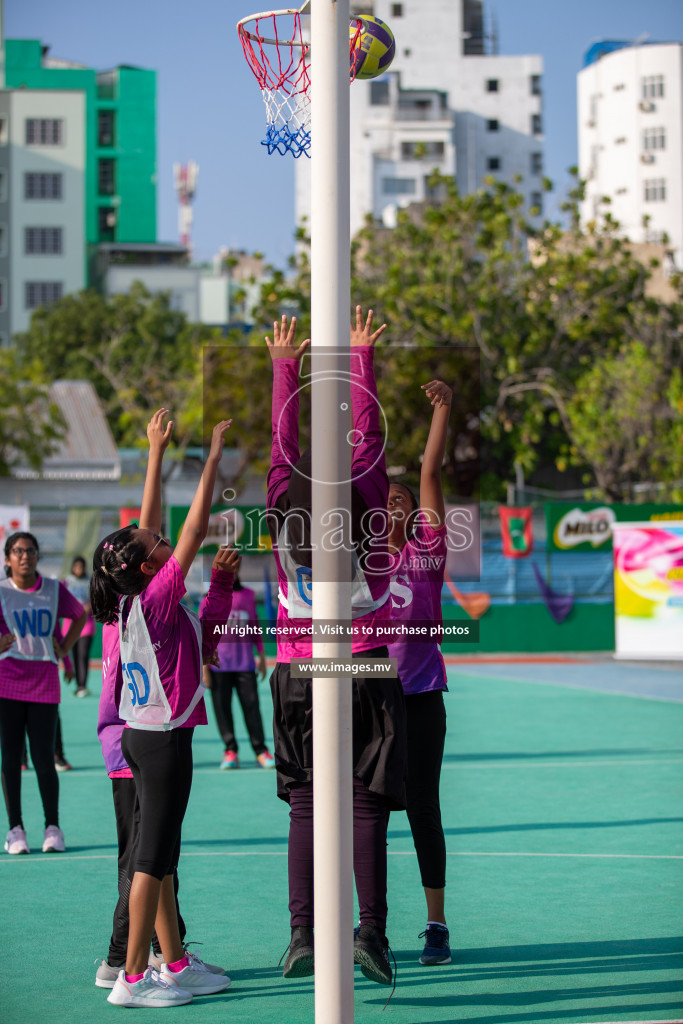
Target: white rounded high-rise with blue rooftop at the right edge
631,139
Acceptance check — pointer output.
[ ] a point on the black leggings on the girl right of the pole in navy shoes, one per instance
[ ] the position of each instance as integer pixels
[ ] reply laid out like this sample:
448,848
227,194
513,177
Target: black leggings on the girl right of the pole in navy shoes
426,737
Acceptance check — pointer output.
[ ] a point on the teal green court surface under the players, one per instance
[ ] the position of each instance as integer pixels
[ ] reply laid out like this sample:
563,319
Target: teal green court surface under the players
563,797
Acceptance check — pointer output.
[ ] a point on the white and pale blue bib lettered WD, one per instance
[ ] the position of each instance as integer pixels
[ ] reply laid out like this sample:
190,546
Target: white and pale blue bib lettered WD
32,617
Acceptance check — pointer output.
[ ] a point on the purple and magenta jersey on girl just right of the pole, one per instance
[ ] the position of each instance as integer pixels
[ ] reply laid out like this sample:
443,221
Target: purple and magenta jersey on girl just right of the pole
416,598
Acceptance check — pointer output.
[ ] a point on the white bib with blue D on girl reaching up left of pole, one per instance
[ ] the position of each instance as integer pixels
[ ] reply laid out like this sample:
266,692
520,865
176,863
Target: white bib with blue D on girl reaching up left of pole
144,704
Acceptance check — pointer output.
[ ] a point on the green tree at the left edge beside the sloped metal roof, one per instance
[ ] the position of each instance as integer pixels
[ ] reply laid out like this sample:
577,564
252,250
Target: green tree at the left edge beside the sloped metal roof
31,424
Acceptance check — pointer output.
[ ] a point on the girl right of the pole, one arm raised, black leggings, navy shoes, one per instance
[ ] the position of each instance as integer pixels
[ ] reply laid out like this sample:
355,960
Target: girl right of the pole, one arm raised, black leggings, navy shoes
418,543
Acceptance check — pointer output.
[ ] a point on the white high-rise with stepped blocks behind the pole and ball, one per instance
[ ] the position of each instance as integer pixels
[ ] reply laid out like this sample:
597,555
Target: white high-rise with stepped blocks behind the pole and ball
447,104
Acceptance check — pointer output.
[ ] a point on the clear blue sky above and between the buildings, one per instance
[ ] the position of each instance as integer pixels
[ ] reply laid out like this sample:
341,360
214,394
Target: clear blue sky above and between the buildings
210,109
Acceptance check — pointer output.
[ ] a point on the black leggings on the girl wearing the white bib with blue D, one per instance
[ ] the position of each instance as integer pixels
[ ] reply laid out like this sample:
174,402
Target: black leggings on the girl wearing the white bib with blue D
162,767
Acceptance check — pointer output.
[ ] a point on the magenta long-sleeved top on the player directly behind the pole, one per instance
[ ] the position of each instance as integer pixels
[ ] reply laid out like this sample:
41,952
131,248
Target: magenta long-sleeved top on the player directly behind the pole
370,483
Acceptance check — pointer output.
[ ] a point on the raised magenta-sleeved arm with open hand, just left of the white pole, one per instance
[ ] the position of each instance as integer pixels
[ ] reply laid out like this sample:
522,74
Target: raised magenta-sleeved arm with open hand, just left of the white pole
285,409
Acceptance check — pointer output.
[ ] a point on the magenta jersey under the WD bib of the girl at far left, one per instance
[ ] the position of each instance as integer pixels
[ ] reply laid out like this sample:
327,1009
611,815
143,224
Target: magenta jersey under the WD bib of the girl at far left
36,681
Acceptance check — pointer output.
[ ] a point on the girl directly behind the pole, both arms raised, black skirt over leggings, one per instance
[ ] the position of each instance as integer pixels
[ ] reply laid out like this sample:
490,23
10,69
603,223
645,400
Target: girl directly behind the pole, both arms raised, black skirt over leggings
378,708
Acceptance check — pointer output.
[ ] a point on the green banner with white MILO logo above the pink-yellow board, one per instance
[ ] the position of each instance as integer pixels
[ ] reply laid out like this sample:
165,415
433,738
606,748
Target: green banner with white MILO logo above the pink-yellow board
587,526
